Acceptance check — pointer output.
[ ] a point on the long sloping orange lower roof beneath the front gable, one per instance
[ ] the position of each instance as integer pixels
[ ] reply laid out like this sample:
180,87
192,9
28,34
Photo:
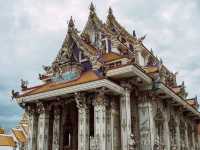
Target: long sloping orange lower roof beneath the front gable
84,78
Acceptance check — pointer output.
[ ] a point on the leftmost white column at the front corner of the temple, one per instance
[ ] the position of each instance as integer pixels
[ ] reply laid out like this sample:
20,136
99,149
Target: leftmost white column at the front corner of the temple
32,127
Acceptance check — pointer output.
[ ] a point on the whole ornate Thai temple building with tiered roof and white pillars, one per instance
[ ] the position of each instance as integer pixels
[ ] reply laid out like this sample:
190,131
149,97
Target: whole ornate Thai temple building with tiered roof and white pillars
106,91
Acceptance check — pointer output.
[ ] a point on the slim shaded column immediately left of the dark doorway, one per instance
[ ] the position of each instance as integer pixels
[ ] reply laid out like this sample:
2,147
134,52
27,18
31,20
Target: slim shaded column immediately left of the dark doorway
56,128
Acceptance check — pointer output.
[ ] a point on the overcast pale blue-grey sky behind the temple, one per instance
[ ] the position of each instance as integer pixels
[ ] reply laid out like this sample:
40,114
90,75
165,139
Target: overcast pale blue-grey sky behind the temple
32,31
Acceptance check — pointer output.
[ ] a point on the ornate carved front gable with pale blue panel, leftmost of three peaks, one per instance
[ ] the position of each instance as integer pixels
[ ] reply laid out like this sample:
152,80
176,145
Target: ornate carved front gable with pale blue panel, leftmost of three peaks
74,57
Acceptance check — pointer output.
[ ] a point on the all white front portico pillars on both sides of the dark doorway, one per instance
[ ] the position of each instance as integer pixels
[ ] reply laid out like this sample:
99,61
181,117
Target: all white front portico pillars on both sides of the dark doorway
39,124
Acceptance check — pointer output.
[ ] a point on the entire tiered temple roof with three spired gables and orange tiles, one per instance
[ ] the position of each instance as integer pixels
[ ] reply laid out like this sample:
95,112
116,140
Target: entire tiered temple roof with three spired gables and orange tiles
96,53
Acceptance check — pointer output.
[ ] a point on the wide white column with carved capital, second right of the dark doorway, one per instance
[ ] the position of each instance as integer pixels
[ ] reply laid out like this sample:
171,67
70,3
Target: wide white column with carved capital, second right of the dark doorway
100,121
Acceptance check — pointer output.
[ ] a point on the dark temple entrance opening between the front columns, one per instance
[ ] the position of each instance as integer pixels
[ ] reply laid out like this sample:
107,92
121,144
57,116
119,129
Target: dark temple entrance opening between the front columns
70,128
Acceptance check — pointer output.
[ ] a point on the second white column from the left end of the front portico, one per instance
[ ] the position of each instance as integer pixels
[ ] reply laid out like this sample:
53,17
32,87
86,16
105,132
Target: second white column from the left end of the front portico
43,127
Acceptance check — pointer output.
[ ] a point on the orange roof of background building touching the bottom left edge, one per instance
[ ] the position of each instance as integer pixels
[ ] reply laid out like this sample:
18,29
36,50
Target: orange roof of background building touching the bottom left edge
7,140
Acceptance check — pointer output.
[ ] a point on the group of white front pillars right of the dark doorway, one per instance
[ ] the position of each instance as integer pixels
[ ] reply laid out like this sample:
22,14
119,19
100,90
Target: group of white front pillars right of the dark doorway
103,123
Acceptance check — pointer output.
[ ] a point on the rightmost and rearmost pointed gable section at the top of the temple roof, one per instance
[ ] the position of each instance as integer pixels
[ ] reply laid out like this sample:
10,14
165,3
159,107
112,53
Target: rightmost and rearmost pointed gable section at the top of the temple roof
128,43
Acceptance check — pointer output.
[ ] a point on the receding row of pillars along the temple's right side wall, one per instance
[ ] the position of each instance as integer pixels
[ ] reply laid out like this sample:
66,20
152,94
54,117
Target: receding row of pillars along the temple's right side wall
150,112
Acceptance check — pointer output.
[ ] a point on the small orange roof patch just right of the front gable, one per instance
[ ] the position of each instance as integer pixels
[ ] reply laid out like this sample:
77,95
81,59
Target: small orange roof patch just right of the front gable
111,56
